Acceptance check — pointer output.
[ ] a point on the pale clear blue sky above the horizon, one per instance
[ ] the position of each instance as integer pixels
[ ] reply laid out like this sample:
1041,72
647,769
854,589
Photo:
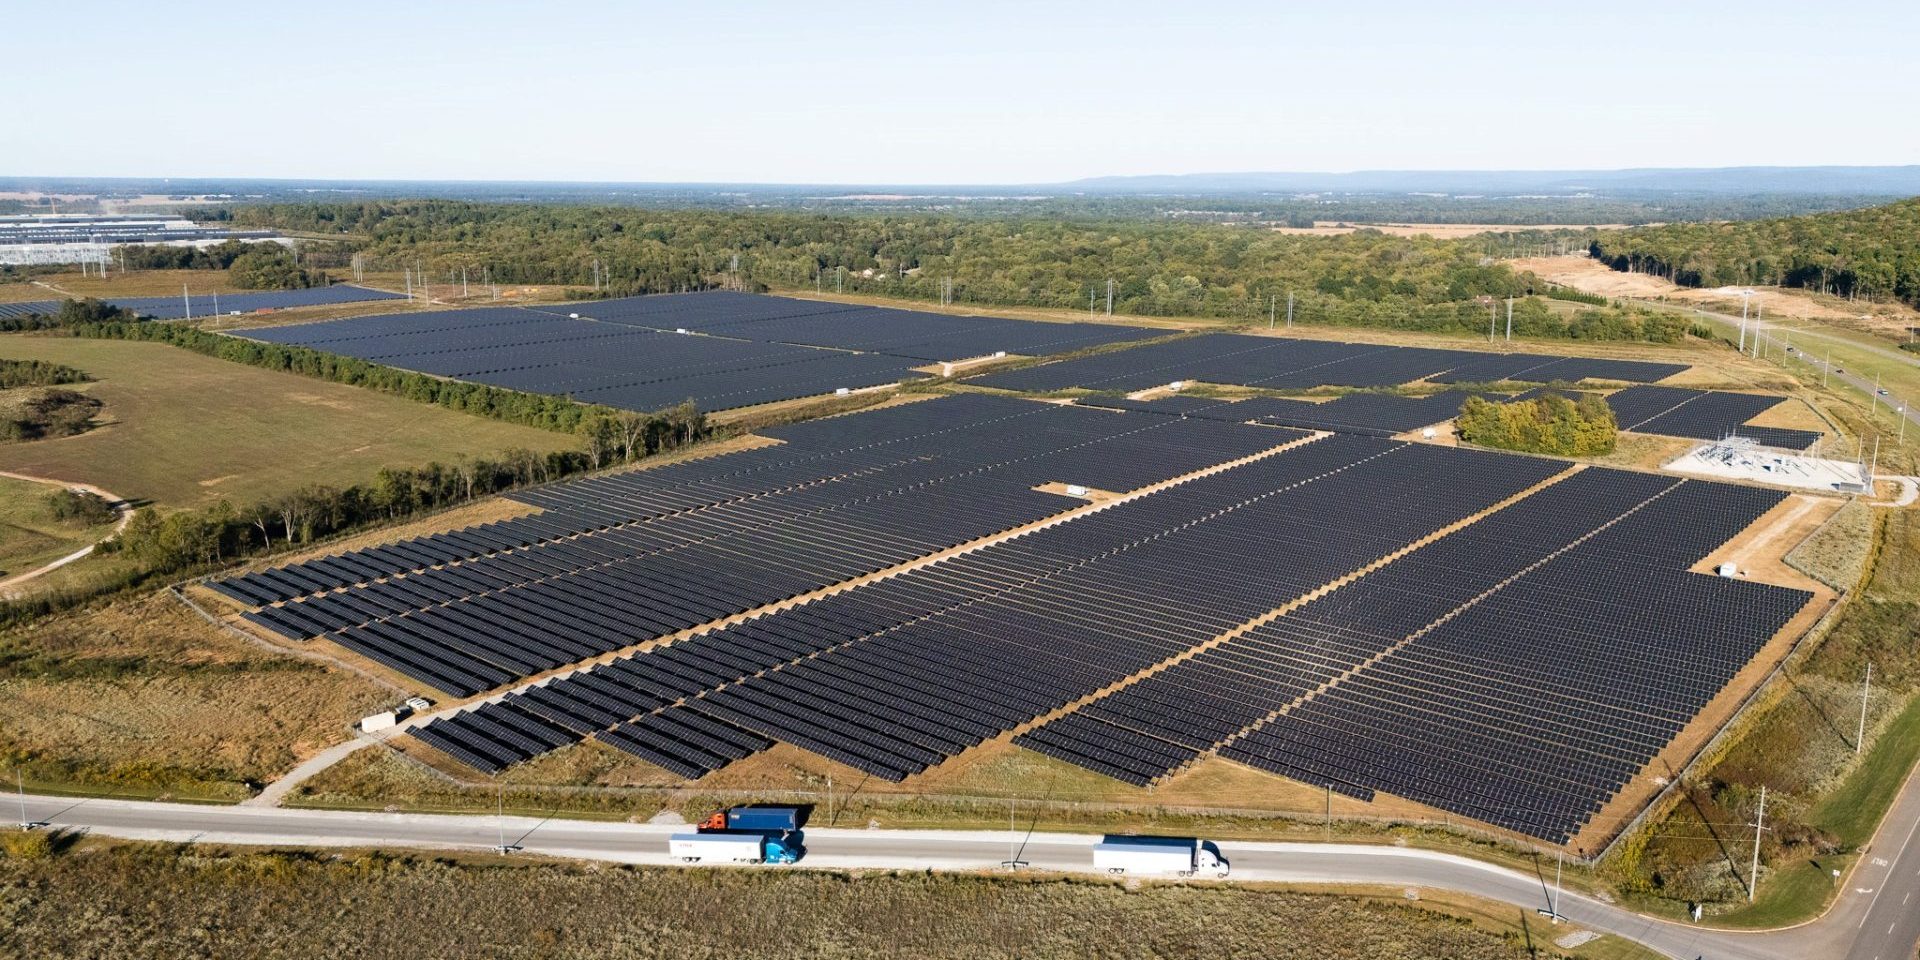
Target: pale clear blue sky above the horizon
951,93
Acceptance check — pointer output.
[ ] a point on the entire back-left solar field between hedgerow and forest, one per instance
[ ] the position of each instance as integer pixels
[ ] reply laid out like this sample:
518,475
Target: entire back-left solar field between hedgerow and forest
719,350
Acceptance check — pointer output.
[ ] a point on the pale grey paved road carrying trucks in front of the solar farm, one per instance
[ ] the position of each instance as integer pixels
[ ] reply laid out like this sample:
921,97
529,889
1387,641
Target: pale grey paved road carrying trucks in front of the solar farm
1879,923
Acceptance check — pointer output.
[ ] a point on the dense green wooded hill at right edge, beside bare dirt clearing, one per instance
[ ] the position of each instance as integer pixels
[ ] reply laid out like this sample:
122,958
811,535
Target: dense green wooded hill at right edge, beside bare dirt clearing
1867,254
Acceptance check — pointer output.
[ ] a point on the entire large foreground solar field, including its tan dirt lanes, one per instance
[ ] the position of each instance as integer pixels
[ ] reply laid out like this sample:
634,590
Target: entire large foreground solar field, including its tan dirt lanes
1506,638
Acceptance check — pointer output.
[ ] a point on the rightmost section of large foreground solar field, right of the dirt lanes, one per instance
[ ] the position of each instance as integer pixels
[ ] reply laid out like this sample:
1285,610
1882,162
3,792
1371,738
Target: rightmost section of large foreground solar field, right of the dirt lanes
1520,671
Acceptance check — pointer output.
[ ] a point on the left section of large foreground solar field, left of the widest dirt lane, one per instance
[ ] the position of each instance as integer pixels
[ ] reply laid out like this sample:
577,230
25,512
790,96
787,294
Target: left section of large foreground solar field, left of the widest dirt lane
631,558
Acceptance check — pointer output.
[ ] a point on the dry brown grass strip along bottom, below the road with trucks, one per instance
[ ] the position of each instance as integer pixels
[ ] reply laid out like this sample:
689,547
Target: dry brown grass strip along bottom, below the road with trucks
149,901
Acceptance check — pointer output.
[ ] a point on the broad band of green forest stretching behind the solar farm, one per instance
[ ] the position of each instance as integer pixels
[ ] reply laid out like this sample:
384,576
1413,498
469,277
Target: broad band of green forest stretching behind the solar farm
1157,270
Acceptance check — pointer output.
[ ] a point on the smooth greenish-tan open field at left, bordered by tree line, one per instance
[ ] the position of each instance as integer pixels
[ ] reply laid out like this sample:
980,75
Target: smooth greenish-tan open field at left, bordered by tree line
187,431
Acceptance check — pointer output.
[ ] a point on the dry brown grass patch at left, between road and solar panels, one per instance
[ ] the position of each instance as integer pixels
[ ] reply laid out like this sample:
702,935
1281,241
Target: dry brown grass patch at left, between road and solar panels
147,698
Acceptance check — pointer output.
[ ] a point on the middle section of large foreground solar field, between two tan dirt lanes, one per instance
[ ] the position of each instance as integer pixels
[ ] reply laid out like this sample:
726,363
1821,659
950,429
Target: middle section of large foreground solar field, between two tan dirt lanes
905,673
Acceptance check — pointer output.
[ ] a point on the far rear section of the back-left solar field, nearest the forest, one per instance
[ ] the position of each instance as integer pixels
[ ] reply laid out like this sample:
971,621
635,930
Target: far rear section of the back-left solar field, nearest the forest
900,333
